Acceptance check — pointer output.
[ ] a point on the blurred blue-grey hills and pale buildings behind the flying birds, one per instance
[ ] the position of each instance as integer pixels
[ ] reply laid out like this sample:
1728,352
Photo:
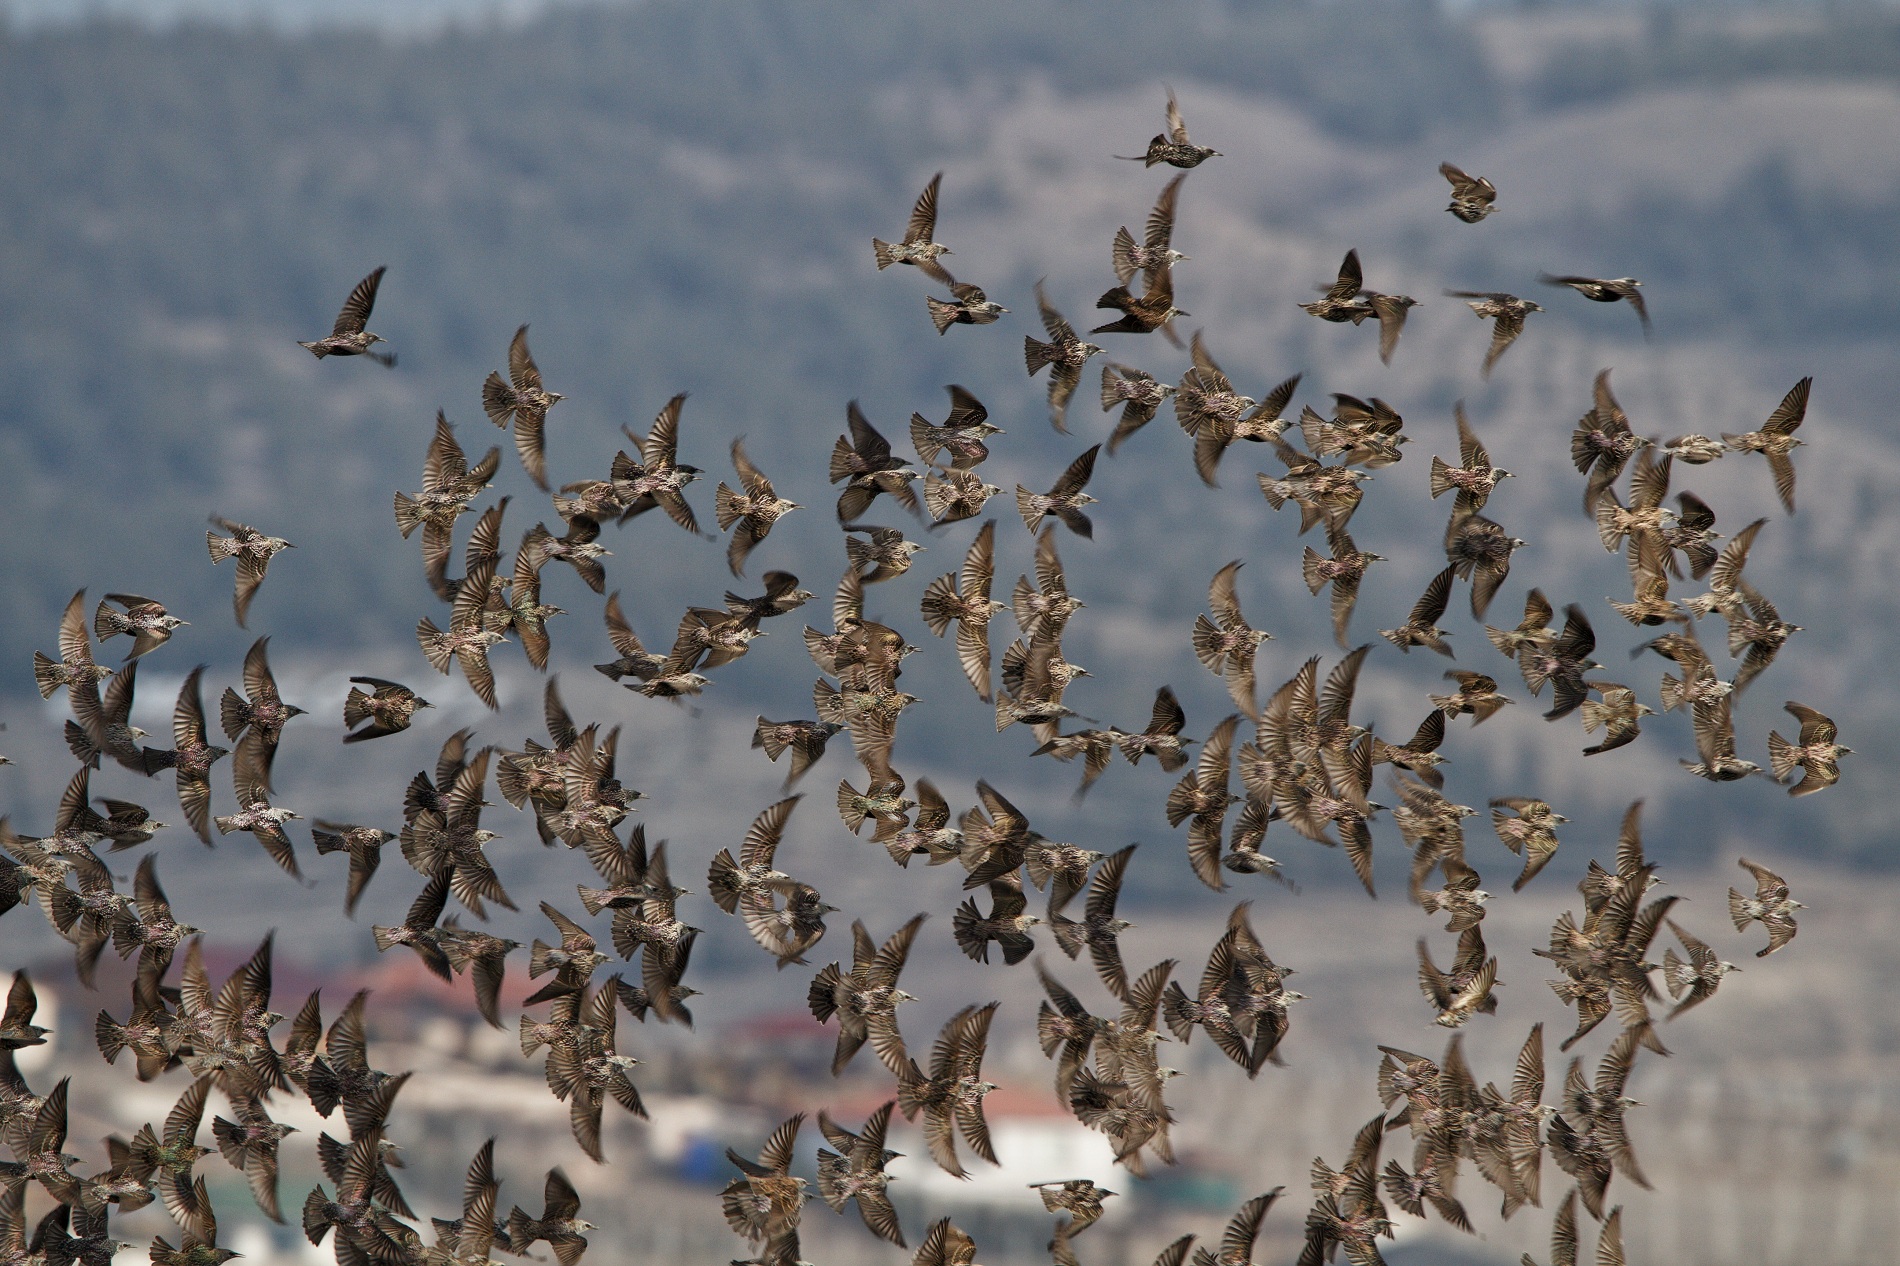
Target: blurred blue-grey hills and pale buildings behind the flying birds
679,199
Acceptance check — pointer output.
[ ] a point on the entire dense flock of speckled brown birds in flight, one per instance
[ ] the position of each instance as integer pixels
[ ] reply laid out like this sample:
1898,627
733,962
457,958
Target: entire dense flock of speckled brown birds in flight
1308,765
